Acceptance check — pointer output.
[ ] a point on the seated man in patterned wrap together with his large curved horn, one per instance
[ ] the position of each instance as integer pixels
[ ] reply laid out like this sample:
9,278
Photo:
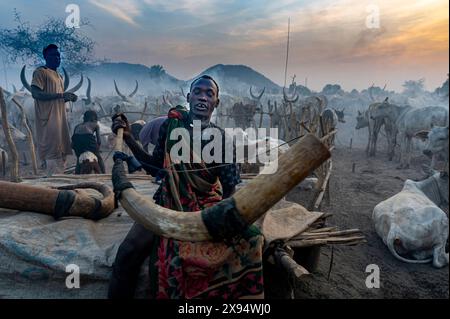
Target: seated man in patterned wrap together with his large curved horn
200,237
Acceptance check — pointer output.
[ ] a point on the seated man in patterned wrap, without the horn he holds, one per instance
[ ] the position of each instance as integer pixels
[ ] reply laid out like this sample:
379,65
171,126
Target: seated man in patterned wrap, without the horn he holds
181,269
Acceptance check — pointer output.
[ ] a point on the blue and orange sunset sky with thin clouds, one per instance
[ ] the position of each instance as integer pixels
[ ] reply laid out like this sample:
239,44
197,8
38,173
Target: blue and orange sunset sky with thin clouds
330,42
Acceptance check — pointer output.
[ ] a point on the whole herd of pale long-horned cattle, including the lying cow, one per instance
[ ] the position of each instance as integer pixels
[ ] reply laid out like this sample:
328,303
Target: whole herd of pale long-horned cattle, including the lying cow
411,223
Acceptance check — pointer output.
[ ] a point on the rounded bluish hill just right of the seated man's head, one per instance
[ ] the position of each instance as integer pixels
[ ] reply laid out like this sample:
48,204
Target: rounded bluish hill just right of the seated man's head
237,79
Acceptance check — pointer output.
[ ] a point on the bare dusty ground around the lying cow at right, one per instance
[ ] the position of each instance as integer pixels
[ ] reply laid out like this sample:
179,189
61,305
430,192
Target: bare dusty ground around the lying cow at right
353,196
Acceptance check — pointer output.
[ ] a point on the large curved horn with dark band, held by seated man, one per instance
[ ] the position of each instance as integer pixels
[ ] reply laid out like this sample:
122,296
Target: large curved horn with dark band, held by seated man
231,215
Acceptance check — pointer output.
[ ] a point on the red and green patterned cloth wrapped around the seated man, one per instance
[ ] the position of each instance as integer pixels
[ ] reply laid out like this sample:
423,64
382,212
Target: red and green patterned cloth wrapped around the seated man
184,270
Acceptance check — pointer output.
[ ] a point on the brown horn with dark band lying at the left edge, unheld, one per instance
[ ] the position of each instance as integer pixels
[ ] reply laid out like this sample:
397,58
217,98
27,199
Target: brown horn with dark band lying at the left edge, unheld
58,202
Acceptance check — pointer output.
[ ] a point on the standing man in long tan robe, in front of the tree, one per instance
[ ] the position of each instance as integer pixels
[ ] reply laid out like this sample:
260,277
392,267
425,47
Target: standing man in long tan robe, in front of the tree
52,129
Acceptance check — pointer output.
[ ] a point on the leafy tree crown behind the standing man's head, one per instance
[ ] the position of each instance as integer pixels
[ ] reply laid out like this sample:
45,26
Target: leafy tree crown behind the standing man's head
24,43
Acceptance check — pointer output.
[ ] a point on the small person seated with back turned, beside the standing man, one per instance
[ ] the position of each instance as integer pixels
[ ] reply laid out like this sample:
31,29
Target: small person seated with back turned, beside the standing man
86,138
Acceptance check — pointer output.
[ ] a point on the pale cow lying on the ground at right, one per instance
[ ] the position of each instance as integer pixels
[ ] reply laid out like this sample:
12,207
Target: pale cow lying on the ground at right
412,225
